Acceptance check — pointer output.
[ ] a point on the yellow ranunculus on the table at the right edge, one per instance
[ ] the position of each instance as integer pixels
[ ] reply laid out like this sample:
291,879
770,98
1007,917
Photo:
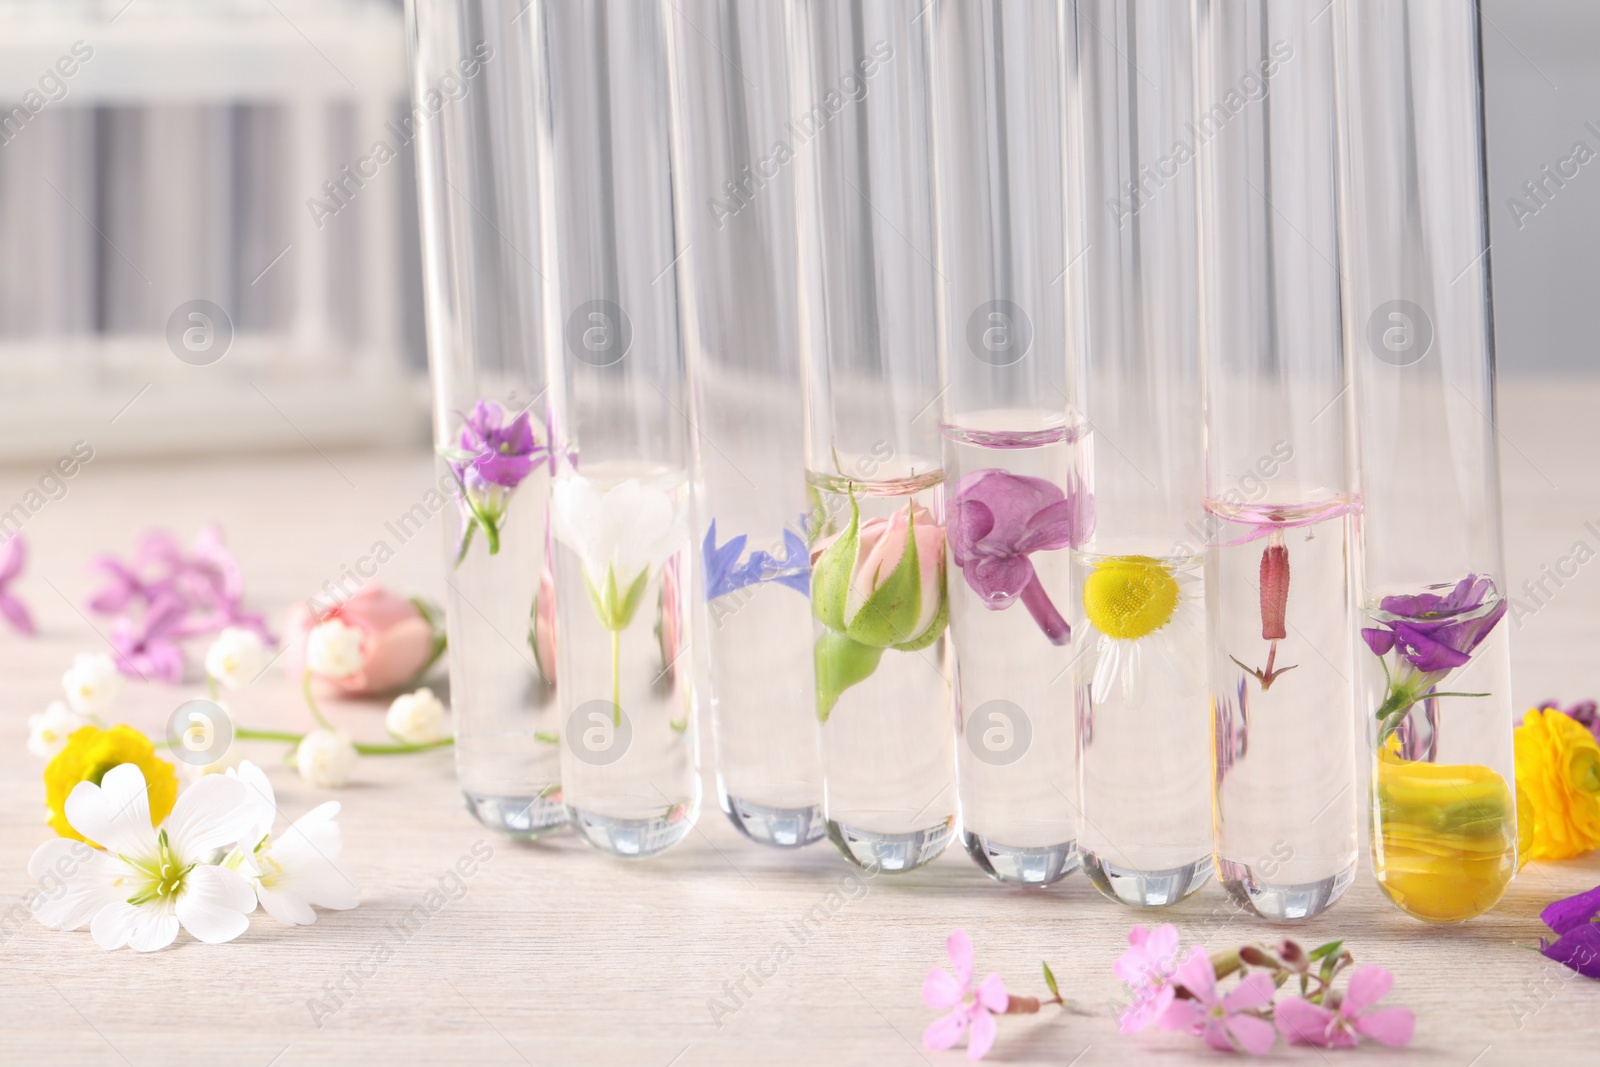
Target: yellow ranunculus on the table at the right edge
1559,773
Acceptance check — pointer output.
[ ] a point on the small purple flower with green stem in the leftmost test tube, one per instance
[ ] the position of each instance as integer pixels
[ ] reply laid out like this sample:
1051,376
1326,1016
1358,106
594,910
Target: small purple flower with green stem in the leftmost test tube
492,462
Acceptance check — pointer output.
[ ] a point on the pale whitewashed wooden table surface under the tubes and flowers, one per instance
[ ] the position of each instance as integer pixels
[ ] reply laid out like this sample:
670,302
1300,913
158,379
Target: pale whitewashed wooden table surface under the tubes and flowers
559,956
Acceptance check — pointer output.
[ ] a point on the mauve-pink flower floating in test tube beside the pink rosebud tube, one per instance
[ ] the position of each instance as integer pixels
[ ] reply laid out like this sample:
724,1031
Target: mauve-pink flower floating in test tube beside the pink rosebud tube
998,522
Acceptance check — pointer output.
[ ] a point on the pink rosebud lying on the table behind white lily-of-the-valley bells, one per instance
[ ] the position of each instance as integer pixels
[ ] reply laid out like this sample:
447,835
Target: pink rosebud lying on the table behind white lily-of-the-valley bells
398,641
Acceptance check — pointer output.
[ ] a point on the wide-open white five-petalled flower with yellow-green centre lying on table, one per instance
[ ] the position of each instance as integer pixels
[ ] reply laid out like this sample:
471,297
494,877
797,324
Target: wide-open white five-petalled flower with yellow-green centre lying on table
148,882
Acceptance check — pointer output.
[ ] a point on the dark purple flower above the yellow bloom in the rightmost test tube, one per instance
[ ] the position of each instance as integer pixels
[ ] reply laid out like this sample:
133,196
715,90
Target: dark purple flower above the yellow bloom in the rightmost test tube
1431,636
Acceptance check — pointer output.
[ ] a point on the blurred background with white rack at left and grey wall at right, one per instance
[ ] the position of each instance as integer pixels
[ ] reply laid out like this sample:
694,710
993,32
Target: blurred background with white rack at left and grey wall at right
161,153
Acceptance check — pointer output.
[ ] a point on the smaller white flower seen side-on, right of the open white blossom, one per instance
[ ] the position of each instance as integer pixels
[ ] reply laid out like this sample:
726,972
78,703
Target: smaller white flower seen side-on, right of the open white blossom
298,869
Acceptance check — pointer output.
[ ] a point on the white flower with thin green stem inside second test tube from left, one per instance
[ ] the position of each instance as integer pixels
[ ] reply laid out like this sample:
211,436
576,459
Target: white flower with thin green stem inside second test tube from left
623,537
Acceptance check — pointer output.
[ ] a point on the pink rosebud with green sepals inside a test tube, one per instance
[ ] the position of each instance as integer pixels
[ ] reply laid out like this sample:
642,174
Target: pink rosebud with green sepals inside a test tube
876,586
